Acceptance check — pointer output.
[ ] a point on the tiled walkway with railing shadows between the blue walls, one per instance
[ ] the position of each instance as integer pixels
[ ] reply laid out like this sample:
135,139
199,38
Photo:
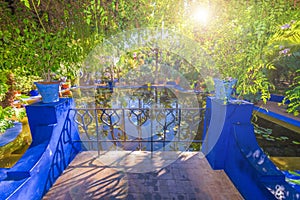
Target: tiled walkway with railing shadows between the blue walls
128,177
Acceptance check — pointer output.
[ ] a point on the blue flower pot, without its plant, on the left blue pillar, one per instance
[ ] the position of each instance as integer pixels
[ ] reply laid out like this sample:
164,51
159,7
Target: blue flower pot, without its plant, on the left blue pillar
49,91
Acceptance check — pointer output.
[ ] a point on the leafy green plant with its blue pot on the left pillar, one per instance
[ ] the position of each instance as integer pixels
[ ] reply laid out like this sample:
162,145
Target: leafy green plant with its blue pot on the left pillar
56,58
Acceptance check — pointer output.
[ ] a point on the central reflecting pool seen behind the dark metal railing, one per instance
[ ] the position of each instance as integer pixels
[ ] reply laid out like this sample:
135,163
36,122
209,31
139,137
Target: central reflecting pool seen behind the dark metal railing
141,118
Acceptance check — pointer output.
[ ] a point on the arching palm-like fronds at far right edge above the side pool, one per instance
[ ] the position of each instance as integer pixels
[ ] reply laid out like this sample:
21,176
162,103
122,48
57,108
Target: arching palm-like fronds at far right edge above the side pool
285,44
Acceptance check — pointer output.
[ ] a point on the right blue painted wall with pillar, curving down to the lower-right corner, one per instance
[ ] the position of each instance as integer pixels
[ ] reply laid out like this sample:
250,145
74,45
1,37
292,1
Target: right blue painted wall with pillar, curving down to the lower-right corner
230,144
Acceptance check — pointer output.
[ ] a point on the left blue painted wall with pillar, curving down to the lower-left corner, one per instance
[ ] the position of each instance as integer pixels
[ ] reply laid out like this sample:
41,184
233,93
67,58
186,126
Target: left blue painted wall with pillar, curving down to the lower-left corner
52,149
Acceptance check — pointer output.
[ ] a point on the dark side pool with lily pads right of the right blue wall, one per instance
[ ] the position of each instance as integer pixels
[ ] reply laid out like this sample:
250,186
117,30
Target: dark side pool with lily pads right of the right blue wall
283,147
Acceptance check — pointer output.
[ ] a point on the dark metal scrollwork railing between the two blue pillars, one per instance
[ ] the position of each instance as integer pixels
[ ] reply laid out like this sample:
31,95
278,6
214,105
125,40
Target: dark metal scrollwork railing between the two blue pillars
116,126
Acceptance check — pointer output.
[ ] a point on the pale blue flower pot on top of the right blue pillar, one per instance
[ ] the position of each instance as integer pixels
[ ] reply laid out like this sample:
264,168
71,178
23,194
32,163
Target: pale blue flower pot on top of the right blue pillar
223,88
